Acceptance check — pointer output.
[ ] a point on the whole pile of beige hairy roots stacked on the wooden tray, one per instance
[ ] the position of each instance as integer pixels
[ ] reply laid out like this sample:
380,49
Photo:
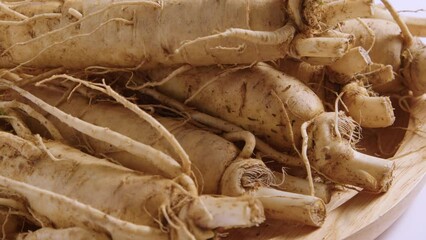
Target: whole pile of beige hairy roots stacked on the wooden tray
114,128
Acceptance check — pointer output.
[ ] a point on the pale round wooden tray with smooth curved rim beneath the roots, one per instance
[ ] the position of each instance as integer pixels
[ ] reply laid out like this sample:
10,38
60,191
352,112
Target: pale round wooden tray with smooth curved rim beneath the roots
365,216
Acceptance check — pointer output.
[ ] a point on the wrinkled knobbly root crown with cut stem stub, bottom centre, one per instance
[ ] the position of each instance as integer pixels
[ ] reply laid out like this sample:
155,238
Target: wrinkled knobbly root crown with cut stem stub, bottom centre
252,177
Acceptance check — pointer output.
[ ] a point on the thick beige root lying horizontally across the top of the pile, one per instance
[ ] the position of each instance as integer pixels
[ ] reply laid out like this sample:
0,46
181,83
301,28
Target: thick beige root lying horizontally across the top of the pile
83,30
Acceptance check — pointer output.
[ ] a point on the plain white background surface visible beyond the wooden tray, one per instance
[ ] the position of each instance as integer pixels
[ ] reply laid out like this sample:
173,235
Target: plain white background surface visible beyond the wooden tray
412,224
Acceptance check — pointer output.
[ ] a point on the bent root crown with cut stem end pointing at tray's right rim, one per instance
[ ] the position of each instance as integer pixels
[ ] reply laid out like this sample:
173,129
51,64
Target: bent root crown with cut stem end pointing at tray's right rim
335,158
